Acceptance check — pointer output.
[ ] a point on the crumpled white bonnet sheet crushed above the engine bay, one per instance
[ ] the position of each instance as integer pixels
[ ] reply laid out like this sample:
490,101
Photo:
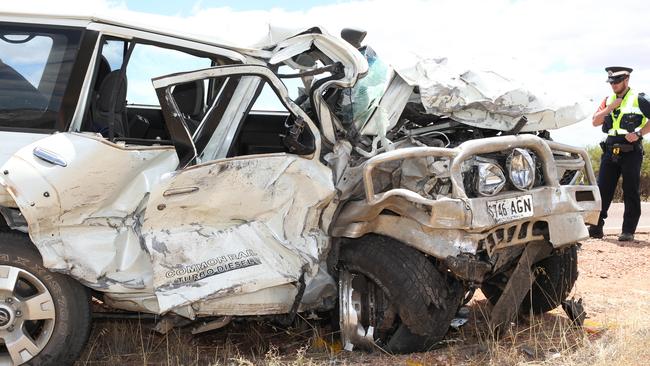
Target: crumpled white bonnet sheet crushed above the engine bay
484,98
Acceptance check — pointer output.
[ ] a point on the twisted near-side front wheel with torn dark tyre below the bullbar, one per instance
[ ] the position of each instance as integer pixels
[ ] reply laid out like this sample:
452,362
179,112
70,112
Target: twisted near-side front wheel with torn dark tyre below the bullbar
390,295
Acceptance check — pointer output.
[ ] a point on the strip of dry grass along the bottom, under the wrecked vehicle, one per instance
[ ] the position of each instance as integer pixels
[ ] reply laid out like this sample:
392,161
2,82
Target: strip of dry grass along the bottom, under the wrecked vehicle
550,339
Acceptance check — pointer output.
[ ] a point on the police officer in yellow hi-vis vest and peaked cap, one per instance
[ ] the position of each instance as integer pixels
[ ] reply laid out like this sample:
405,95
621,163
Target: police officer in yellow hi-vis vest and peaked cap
623,116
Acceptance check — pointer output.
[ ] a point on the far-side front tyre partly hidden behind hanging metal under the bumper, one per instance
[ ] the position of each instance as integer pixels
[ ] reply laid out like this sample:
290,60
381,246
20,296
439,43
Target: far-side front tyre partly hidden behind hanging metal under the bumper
556,276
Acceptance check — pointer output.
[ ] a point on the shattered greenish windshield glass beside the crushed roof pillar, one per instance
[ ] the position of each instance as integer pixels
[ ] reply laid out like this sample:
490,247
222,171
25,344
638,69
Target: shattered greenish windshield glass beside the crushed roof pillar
358,103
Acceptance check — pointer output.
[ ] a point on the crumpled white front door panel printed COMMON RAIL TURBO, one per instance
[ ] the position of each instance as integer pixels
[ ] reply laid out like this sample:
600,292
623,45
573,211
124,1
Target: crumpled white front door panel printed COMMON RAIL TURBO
238,226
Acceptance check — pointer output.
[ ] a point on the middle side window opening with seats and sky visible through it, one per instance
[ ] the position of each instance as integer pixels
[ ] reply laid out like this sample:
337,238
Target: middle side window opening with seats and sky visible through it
123,98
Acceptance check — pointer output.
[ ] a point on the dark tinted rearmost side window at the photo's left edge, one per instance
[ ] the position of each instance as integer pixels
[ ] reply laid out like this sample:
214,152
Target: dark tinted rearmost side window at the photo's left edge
35,65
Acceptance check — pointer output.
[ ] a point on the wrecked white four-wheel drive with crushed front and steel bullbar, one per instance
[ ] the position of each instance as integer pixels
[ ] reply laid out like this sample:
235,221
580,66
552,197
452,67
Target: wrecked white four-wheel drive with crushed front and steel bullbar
389,196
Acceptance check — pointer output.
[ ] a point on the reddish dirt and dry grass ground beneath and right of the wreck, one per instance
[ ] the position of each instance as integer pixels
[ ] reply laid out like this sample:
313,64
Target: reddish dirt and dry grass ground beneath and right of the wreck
613,282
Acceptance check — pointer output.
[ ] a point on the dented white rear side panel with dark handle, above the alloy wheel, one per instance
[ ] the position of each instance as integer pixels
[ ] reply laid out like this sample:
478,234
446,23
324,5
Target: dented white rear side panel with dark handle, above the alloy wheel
84,218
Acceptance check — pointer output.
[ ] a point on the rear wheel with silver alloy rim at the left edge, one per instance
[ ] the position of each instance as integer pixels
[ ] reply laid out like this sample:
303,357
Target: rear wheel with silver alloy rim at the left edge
44,316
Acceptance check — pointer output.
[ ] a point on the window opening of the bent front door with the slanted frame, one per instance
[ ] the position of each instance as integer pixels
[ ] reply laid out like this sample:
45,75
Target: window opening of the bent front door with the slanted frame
232,128
